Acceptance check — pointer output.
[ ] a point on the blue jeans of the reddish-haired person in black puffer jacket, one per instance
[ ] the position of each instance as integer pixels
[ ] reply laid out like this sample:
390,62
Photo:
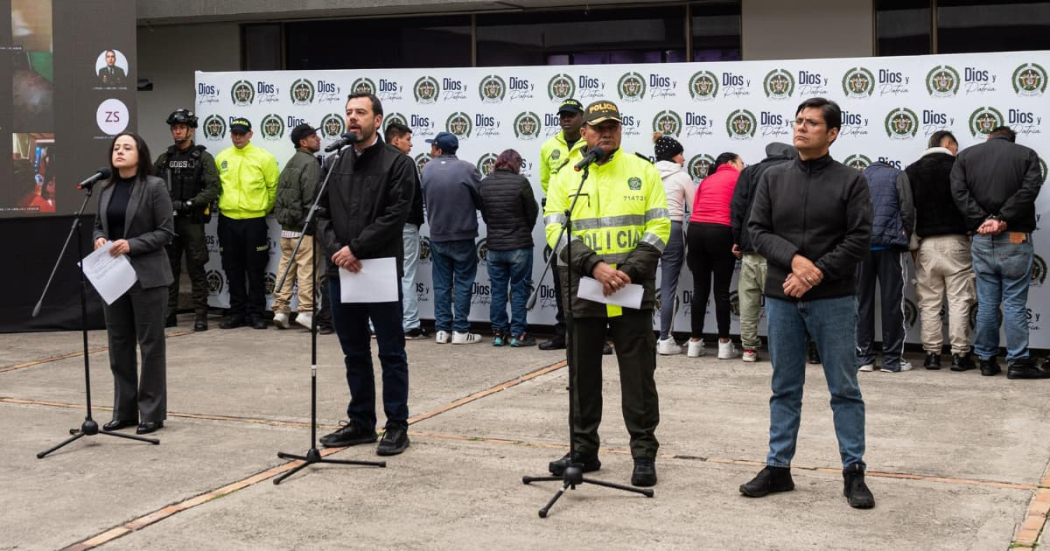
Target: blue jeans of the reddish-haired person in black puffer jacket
516,266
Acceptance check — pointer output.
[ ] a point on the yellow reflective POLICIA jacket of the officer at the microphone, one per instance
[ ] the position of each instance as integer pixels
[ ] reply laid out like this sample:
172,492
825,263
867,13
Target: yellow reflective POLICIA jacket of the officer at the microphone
621,218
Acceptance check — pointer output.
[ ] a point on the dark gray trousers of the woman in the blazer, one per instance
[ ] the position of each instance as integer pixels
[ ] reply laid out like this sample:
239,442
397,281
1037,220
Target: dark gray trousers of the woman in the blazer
138,316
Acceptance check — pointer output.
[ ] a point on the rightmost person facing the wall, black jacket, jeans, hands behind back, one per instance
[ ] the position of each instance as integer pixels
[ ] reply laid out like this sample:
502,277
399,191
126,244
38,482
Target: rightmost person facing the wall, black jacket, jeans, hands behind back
995,185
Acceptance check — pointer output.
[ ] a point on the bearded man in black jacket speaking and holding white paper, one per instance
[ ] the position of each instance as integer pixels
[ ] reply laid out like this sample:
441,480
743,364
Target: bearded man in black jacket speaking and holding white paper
362,217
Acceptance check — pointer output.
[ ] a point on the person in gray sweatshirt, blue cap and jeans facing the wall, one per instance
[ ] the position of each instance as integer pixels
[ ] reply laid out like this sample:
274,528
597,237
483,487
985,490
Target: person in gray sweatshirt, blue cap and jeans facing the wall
451,197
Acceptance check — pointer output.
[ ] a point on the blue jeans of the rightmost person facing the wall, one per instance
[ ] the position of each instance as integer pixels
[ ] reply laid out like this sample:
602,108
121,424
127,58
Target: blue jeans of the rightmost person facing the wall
1004,272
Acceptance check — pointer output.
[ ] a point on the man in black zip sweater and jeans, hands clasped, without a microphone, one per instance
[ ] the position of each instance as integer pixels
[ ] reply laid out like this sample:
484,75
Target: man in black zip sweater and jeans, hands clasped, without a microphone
812,221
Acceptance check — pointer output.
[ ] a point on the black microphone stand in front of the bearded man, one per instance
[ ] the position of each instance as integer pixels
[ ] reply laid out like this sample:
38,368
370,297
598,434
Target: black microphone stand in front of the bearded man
313,455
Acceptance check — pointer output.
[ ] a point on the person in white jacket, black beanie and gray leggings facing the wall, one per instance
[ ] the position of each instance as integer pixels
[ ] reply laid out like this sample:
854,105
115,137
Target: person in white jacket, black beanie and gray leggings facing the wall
680,190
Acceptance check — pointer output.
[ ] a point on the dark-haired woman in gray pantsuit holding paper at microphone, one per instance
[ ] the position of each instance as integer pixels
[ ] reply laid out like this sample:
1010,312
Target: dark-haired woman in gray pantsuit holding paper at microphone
136,216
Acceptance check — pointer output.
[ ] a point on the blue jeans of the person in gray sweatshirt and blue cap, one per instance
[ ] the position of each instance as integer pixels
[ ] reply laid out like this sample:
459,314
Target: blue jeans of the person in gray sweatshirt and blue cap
454,264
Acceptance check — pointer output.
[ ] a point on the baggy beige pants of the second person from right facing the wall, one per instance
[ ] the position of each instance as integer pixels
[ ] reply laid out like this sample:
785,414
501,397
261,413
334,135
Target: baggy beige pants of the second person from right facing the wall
946,264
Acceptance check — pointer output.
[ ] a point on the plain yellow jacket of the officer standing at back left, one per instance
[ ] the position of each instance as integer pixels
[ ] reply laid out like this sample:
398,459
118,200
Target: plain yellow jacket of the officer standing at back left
249,179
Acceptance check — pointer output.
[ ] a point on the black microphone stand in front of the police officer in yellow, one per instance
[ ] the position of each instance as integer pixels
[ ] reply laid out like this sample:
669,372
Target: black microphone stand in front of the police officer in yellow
574,475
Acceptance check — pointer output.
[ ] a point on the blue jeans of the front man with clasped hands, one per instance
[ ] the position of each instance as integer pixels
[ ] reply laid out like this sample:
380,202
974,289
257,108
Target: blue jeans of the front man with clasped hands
833,325
